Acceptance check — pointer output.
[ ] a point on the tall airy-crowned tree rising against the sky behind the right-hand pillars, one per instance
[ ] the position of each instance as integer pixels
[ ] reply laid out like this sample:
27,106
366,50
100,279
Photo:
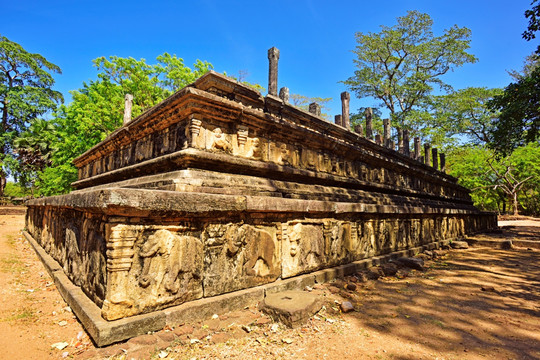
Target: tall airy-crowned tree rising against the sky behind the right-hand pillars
400,65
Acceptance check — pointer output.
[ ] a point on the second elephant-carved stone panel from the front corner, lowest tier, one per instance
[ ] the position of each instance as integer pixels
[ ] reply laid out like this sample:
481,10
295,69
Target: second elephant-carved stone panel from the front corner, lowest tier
239,256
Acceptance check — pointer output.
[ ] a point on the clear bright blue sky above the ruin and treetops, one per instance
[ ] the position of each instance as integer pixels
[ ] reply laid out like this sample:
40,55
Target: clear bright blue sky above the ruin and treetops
315,38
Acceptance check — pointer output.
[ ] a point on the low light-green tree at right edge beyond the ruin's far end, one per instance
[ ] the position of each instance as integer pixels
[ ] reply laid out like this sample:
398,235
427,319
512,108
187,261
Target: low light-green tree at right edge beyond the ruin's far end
498,182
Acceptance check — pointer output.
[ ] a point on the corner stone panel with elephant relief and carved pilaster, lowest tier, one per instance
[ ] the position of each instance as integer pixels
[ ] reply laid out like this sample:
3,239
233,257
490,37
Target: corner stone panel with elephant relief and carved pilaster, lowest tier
150,268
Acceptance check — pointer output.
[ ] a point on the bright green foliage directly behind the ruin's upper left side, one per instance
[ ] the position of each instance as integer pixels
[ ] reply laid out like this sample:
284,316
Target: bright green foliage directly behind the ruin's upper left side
97,108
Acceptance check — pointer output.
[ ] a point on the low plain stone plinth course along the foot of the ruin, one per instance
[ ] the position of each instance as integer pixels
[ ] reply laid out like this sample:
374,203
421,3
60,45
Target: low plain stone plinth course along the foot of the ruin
105,332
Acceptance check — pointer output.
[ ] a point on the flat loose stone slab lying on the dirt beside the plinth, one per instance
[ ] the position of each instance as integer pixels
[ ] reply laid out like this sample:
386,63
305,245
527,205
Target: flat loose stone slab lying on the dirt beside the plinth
292,308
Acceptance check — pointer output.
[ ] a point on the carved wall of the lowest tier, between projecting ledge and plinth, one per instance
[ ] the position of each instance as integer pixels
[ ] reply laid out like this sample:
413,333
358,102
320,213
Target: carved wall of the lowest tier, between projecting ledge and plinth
129,266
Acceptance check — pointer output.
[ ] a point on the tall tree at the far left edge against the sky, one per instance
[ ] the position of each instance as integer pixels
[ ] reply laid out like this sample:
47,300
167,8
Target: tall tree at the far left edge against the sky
25,94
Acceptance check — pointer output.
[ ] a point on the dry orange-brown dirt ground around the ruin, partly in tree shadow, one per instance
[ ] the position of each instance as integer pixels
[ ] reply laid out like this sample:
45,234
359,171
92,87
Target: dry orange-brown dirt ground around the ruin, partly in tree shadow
479,303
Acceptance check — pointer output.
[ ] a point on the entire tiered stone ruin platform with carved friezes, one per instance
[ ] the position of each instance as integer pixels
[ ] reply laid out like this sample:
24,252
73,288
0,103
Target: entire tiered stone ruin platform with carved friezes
219,194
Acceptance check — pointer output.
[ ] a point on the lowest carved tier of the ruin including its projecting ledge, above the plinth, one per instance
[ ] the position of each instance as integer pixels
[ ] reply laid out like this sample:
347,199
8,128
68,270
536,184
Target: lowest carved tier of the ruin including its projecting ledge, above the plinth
134,251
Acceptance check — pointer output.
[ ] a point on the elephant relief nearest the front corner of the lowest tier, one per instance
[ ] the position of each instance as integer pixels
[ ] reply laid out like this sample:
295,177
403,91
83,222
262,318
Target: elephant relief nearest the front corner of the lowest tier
170,259
